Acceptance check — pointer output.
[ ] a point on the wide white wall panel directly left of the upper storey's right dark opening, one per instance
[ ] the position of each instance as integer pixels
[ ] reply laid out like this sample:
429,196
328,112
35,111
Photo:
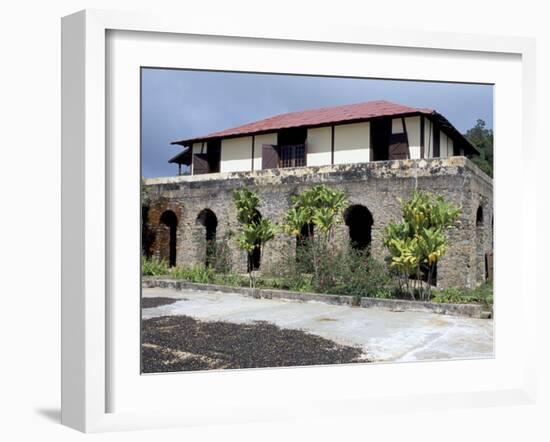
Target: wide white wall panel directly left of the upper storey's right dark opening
352,143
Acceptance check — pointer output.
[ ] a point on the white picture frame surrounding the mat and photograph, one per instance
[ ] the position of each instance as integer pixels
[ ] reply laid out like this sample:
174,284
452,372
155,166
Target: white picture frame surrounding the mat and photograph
87,202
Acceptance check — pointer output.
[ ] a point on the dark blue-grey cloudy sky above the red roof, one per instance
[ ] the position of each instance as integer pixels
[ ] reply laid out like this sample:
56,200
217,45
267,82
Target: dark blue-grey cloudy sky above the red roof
179,104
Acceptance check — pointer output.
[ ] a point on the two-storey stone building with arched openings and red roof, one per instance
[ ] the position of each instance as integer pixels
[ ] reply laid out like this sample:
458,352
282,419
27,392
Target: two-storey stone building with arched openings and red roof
375,152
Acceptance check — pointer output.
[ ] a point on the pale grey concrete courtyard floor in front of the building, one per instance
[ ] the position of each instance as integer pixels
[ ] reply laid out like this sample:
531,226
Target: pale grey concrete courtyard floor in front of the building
383,335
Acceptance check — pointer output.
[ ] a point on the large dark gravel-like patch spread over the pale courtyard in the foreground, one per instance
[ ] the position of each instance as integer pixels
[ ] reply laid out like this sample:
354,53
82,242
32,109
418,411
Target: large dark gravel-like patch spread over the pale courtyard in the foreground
182,343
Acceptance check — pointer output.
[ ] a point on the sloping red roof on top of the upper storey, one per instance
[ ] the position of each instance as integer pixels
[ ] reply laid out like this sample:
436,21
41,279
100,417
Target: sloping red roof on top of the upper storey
315,117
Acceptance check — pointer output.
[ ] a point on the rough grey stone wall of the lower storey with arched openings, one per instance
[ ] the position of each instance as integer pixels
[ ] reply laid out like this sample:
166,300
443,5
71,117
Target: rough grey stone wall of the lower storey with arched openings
375,185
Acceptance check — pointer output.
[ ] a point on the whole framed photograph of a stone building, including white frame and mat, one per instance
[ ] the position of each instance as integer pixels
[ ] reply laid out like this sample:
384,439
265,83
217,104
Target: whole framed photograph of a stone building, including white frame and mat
261,223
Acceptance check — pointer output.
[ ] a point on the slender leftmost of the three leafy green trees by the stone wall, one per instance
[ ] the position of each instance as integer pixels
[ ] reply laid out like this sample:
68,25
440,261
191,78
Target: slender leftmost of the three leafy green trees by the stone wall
254,231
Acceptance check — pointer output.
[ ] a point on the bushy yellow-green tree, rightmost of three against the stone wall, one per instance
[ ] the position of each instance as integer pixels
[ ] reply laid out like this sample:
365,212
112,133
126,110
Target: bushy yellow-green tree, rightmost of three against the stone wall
418,241
